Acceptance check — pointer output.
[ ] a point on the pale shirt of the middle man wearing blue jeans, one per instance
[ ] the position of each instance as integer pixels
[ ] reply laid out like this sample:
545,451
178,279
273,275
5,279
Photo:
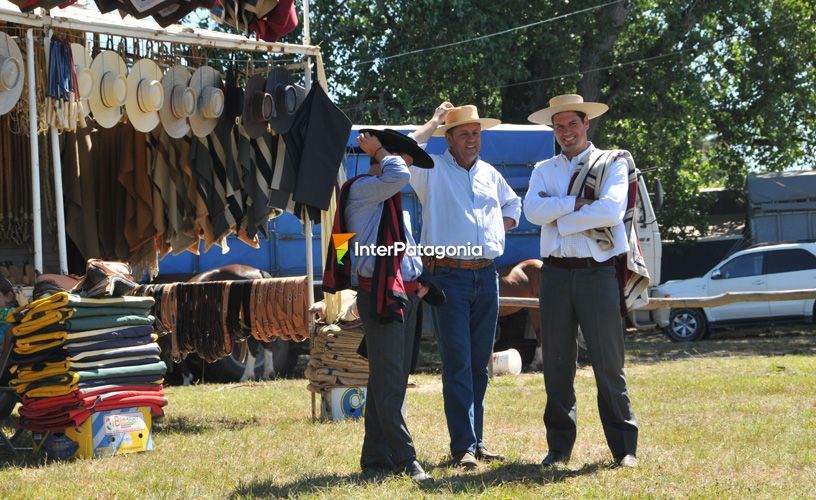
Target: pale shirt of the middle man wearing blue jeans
464,207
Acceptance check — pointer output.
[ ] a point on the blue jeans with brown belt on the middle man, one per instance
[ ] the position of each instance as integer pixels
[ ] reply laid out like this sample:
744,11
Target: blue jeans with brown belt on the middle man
465,330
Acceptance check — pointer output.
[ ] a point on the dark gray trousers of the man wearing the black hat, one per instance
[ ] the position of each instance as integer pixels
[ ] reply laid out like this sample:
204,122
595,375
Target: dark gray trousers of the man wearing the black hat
387,441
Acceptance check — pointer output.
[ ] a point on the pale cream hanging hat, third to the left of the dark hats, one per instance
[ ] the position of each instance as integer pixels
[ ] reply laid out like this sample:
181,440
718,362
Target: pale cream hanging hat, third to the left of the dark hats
145,95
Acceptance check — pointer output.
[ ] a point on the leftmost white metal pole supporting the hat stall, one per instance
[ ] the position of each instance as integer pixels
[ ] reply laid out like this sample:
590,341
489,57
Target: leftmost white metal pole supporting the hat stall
35,151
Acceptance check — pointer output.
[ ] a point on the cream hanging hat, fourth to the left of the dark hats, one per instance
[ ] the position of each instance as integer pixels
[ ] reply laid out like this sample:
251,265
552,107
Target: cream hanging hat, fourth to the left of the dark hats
109,89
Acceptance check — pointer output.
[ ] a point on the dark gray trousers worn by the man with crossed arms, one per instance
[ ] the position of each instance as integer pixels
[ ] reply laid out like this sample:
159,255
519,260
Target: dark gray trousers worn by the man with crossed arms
589,298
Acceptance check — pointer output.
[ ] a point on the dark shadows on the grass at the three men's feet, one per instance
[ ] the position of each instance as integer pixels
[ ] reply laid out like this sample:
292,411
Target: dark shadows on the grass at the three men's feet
462,483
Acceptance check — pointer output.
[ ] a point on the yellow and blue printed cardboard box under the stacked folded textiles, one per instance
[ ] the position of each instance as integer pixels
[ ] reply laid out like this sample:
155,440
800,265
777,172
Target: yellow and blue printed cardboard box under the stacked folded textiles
103,434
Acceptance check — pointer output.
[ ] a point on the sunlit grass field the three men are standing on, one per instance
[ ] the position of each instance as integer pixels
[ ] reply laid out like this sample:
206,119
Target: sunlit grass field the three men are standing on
733,416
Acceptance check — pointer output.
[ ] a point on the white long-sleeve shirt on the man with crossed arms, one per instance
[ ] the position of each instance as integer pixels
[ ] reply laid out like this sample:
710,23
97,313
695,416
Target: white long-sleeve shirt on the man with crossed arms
549,205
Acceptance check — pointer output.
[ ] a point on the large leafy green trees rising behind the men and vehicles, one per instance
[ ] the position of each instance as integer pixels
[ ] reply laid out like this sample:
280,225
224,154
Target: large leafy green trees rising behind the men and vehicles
701,91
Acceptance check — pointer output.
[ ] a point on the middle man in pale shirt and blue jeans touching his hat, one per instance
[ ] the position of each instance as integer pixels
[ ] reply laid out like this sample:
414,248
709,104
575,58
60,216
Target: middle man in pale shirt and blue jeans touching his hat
467,206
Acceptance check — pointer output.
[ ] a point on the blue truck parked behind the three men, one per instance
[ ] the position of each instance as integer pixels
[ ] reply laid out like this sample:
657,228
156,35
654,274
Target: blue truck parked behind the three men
512,149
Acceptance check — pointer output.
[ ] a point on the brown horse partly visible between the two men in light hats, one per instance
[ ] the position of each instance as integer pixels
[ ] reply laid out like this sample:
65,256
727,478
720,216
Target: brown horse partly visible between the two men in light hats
522,280
